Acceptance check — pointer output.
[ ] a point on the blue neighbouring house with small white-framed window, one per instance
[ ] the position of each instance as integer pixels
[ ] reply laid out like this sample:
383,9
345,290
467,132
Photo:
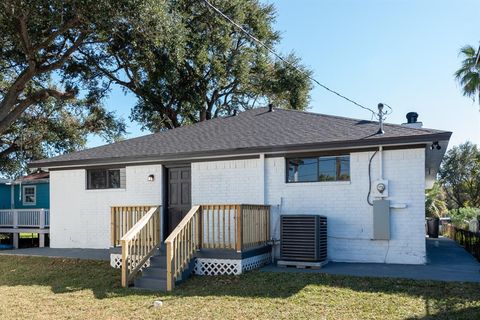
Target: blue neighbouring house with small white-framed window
29,192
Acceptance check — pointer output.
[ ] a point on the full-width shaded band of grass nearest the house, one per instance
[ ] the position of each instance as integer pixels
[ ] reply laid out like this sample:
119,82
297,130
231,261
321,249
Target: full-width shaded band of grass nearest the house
443,300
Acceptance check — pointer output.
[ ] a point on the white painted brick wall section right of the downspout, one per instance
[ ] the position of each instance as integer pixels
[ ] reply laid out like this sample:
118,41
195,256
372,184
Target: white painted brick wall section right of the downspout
349,215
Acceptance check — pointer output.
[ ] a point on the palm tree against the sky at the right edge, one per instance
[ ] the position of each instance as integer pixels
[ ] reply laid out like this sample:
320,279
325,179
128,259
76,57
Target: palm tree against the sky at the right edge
469,73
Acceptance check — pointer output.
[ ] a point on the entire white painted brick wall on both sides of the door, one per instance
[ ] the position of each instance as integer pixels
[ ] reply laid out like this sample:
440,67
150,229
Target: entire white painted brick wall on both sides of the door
80,218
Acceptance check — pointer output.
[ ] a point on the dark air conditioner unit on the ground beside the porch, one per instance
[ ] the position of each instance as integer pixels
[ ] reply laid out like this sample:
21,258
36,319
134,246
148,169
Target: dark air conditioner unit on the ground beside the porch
303,238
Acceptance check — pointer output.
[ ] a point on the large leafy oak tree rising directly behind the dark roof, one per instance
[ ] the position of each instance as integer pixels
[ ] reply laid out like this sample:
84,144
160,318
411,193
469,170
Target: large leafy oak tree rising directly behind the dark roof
209,70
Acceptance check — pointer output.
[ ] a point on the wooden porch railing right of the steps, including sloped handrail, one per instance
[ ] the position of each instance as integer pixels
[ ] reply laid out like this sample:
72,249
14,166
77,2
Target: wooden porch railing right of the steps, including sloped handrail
224,226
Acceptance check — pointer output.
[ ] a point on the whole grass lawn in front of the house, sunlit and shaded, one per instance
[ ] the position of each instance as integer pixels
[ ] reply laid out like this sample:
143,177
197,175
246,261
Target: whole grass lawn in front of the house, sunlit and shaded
45,288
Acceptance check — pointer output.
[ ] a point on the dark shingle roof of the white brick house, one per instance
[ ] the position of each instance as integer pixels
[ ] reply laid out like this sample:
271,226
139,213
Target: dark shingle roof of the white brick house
252,131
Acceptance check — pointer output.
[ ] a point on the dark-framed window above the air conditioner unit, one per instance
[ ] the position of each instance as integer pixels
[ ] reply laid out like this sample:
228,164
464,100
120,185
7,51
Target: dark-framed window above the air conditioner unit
315,169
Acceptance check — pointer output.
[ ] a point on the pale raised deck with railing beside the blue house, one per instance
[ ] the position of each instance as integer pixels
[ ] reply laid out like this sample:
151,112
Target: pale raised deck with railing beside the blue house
18,221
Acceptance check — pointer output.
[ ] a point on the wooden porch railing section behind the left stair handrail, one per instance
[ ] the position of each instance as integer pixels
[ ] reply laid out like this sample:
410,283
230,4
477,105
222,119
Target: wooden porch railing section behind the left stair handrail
123,218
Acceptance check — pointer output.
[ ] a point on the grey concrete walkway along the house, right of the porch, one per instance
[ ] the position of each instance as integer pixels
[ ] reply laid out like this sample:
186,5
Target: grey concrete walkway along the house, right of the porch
447,261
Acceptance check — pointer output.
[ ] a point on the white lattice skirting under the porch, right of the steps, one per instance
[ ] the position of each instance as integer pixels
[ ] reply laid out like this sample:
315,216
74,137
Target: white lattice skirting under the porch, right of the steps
214,267
